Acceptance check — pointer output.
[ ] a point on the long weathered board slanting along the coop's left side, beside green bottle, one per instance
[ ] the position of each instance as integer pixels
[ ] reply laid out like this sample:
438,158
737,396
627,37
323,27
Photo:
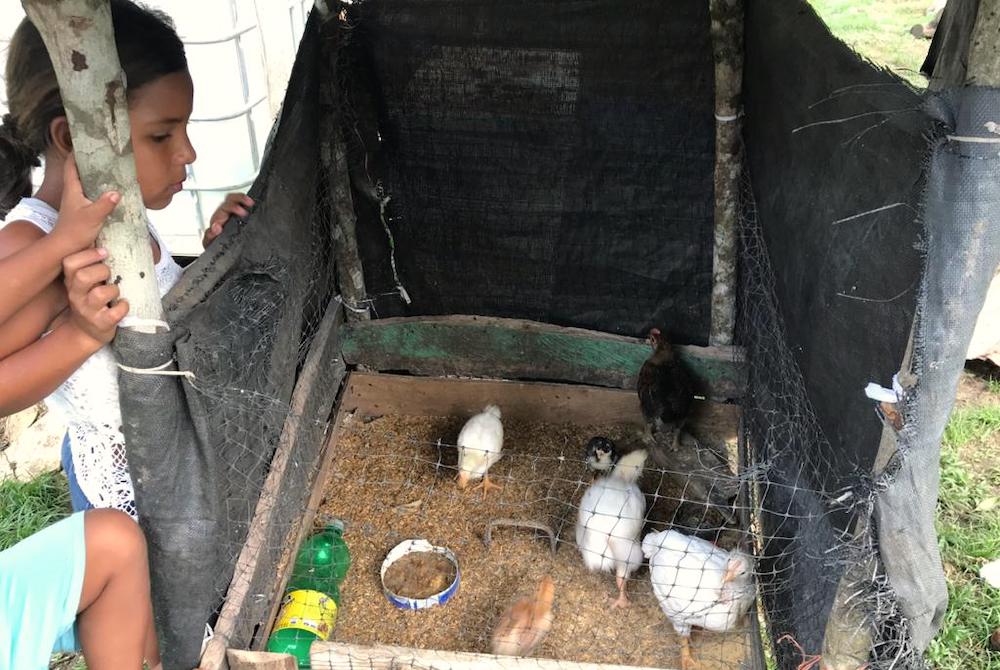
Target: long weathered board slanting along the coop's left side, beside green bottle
322,369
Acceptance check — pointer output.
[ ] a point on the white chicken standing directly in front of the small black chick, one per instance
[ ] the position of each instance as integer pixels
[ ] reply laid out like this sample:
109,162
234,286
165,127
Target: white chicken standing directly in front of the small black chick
611,515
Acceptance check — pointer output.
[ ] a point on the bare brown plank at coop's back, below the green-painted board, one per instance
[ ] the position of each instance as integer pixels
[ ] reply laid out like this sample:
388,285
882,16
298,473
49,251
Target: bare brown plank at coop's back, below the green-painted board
379,394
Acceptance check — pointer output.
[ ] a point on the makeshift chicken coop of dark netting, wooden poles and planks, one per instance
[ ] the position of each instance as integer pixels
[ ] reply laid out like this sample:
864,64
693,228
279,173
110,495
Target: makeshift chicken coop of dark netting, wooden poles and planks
478,202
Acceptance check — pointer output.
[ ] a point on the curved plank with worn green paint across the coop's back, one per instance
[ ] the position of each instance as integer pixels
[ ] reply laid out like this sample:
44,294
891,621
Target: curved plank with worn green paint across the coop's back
514,349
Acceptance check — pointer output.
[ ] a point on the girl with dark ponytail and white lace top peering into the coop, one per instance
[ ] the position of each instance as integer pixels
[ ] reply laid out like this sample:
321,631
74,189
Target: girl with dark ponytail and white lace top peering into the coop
71,366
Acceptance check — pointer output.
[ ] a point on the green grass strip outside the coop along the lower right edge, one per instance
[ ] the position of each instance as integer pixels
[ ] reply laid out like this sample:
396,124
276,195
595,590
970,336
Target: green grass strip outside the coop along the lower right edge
968,525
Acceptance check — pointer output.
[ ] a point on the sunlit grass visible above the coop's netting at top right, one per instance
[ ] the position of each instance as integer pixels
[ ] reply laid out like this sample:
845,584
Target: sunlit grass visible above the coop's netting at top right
879,30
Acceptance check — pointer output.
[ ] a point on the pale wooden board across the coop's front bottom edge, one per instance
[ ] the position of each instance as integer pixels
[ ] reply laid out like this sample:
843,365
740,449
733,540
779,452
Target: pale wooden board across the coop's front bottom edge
341,656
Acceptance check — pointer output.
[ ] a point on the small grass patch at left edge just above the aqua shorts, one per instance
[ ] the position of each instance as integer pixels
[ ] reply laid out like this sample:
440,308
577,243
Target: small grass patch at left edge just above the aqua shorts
27,507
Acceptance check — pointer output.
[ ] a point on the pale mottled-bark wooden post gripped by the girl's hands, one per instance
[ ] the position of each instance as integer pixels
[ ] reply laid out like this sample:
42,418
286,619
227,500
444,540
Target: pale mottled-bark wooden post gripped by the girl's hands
79,37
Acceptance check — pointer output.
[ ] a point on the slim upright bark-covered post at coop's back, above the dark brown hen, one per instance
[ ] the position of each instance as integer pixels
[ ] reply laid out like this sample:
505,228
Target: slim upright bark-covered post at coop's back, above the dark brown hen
727,45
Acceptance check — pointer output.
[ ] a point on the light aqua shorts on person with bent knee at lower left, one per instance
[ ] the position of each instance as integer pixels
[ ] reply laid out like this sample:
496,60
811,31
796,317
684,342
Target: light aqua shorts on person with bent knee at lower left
41,580
